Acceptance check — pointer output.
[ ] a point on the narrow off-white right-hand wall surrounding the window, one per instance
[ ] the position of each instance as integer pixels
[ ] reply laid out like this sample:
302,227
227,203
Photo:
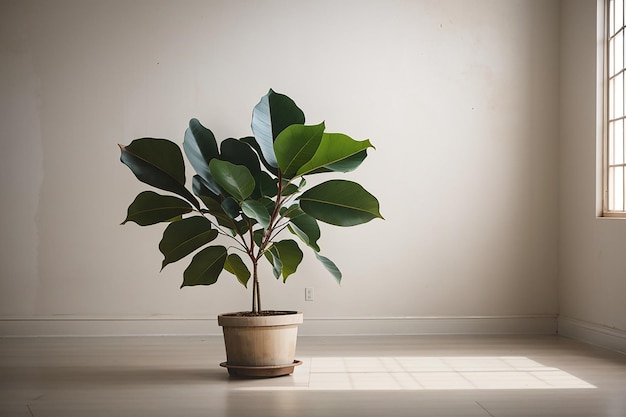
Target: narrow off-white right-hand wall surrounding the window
592,262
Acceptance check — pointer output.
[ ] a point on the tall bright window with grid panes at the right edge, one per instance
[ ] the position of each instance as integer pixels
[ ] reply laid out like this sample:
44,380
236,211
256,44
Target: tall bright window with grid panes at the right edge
615,150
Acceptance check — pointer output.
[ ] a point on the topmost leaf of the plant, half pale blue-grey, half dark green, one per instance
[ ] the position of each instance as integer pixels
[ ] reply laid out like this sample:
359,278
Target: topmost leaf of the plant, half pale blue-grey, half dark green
270,117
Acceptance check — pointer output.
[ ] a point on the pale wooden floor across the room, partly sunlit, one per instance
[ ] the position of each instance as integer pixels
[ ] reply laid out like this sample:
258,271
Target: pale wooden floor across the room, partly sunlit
469,376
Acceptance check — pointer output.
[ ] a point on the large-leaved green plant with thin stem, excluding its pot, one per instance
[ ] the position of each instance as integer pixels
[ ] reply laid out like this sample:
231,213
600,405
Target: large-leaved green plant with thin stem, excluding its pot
249,190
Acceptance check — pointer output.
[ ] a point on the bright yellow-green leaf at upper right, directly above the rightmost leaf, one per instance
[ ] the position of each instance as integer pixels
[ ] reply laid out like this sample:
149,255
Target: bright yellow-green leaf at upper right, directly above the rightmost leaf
333,148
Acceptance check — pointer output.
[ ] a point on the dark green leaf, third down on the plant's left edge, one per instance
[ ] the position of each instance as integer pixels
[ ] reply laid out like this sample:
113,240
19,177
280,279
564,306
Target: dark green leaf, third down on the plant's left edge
185,236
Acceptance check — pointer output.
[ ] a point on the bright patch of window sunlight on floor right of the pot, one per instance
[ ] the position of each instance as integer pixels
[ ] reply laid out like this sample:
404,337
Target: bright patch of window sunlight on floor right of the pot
423,373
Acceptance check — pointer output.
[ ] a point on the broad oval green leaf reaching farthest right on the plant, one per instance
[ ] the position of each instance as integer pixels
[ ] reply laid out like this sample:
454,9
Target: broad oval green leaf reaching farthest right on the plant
340,202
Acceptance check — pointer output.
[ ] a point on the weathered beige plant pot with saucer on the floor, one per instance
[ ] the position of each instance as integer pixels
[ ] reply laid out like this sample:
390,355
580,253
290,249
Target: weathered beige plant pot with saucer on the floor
260,346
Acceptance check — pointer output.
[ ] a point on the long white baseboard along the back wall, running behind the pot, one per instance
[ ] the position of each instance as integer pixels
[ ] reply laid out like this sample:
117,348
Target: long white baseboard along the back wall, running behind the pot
312,326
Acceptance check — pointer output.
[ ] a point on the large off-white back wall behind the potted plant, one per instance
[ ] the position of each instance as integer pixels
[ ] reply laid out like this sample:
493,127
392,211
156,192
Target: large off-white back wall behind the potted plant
460,99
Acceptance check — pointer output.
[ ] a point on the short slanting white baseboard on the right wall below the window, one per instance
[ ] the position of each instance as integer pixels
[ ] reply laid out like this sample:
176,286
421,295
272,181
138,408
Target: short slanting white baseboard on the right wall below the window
593,333
